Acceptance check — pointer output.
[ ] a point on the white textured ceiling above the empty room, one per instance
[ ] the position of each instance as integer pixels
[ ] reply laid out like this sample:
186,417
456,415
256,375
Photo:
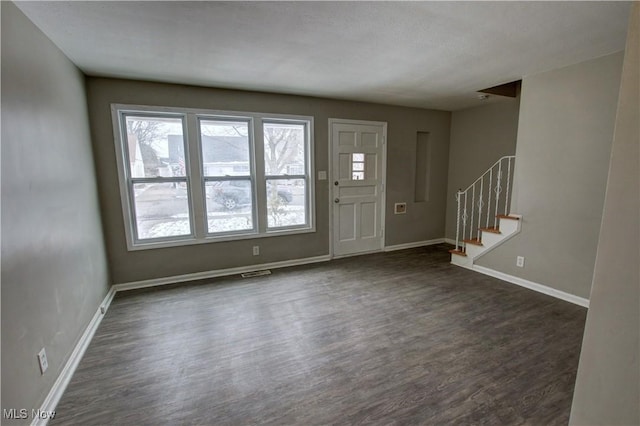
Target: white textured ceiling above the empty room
423,54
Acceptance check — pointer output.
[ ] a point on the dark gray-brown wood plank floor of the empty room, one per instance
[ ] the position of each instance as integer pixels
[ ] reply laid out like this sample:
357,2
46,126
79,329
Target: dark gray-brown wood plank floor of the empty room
389,338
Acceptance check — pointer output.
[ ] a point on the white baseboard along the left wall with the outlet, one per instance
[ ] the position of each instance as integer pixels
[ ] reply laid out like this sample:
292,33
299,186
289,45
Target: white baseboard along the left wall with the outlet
61,383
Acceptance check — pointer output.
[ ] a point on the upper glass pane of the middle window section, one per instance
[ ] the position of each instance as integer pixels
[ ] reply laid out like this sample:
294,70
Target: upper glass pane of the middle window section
225,148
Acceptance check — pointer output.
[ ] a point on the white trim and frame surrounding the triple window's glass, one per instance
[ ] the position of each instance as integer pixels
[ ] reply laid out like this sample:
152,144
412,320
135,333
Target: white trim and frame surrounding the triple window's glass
195,176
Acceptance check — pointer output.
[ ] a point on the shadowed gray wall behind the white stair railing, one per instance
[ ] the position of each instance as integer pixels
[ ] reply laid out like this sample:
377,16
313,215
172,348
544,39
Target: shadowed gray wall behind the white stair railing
479,137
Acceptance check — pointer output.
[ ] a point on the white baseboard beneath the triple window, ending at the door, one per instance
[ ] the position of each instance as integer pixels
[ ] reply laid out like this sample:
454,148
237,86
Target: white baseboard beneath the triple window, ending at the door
217,273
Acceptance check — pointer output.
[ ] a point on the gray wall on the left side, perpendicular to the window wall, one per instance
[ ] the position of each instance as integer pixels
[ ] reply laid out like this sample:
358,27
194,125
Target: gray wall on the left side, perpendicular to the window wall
54,271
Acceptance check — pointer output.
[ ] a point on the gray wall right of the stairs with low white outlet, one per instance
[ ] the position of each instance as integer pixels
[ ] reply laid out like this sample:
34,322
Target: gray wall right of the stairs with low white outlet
565,133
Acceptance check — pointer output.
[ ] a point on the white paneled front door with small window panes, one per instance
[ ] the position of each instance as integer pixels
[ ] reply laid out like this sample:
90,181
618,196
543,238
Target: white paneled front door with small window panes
357,185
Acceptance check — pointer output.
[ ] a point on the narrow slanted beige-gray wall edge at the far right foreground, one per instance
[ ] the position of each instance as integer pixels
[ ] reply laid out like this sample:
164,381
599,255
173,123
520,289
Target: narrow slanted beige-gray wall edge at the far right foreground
607,386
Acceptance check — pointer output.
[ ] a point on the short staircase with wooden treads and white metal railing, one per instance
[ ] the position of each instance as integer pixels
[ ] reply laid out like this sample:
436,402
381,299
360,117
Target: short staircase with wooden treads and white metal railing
483,219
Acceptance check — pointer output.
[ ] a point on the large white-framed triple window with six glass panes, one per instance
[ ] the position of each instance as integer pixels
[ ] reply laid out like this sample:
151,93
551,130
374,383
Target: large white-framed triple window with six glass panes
191,176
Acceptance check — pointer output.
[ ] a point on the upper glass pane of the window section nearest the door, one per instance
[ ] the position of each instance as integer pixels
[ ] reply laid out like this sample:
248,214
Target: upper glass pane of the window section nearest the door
284,146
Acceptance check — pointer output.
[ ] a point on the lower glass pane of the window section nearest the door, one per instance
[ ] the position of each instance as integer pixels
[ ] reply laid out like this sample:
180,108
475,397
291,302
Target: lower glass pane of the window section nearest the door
286,199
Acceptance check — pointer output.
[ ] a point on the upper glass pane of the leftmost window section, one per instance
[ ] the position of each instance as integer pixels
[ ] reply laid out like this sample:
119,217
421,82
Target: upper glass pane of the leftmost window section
155,146
